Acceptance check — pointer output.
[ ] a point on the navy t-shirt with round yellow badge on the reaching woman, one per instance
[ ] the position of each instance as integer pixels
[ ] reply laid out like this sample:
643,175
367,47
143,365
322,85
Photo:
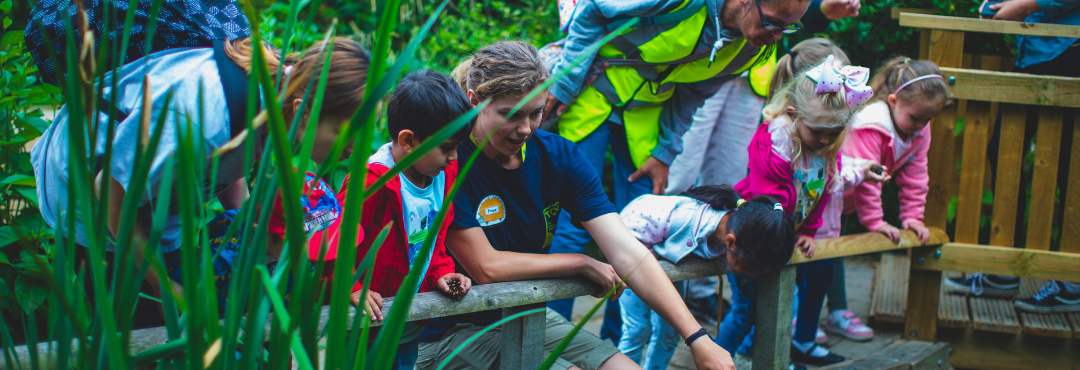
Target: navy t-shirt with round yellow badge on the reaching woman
518,209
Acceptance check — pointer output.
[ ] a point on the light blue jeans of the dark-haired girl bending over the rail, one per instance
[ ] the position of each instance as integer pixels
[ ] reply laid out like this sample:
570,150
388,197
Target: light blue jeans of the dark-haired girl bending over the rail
641,325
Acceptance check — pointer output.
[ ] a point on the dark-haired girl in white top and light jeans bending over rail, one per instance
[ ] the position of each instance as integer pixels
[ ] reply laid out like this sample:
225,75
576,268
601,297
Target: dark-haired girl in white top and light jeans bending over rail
712,222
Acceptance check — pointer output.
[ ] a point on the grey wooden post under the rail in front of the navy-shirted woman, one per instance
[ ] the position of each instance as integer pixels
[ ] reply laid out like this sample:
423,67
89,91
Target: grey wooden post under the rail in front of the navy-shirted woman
523,339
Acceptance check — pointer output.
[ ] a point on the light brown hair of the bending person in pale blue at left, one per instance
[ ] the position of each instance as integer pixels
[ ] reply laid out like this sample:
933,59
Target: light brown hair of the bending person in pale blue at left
346,80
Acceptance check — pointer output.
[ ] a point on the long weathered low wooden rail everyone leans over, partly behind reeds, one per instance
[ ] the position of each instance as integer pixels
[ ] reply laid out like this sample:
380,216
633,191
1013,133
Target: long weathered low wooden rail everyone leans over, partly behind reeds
516,294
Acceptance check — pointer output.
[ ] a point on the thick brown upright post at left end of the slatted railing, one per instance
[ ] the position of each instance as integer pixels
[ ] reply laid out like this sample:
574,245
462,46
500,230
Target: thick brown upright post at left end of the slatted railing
947,50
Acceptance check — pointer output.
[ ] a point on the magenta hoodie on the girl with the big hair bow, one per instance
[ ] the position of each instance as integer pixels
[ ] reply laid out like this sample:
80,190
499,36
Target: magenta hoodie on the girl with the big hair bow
771,174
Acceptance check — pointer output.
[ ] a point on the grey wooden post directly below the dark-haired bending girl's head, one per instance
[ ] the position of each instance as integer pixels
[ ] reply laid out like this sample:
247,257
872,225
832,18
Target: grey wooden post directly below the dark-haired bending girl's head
773,336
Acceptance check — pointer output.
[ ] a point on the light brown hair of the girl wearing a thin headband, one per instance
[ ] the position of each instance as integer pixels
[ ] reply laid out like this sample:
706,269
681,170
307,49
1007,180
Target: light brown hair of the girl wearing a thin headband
897,72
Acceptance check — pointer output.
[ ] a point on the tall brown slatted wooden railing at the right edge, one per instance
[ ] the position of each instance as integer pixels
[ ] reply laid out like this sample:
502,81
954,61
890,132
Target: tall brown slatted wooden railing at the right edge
980,93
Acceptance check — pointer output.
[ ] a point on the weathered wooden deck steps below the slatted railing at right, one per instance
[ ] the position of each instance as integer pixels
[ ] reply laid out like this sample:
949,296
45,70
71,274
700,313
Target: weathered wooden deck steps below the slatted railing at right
889,300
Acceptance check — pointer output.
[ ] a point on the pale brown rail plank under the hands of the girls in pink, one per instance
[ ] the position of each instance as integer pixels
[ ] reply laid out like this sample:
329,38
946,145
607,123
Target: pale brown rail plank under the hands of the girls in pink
862,244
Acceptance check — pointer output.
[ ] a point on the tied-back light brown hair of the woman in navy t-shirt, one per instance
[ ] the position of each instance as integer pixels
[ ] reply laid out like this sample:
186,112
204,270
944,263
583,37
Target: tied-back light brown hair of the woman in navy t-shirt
508,68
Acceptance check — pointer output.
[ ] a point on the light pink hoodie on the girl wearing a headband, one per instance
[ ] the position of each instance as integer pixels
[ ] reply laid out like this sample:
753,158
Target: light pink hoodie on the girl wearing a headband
872,136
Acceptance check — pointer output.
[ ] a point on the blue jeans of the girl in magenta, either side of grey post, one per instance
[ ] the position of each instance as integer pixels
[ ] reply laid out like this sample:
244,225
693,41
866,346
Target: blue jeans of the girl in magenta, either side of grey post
813,280
